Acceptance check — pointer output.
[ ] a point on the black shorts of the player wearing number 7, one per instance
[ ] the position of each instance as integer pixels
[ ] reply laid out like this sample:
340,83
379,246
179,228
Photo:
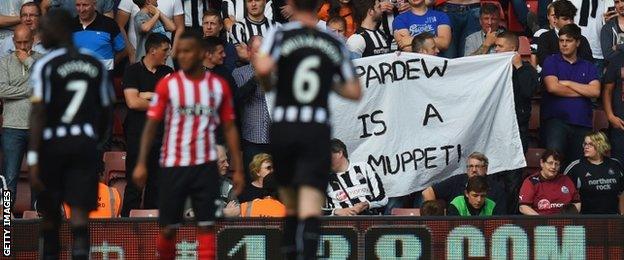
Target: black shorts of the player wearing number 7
68,170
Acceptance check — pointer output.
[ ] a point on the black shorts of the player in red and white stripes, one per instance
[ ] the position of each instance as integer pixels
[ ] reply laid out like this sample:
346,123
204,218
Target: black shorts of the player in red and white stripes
176,184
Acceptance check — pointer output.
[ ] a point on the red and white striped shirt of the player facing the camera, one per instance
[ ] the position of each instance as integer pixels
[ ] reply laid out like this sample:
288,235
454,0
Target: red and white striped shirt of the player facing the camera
189,108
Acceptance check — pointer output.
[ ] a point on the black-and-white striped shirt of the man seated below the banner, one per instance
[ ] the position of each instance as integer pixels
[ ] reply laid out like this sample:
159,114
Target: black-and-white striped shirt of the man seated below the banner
358,184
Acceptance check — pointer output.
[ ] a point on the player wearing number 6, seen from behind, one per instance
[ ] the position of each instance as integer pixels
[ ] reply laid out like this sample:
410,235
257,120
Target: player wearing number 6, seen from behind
309,63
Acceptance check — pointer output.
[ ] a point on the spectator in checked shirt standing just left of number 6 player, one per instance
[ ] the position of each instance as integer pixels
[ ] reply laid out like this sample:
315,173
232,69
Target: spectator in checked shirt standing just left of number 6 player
255,120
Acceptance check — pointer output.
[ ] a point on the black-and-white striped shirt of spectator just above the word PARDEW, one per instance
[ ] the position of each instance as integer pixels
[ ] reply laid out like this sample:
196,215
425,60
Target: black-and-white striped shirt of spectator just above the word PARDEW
367,42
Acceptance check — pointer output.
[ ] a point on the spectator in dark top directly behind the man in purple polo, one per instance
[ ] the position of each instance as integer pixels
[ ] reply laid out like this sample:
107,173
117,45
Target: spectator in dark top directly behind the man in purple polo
548,42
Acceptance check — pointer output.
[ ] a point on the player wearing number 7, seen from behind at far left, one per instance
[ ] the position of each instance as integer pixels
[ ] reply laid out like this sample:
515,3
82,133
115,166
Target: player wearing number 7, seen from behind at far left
69,121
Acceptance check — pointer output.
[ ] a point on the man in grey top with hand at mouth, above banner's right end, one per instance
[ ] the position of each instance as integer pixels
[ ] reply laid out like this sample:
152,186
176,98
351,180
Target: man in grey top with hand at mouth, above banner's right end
483,41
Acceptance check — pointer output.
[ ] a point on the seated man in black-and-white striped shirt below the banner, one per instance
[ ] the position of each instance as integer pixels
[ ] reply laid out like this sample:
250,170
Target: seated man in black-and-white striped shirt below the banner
354,188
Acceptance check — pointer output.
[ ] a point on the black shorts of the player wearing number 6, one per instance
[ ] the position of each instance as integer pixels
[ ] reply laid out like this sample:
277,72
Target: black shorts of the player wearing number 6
301,154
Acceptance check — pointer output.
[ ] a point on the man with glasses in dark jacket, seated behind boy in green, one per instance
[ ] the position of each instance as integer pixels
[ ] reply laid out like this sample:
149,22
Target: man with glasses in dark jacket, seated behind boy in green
454,186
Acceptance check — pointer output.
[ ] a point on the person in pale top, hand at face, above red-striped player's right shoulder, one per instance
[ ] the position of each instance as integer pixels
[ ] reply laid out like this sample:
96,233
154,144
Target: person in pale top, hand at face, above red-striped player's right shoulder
149,20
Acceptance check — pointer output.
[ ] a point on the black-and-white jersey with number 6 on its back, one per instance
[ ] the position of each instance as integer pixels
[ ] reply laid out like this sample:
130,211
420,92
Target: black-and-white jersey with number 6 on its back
309,63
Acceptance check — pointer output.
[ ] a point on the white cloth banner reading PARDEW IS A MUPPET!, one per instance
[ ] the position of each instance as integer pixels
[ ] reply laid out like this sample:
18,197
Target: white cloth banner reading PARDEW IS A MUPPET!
421,116
